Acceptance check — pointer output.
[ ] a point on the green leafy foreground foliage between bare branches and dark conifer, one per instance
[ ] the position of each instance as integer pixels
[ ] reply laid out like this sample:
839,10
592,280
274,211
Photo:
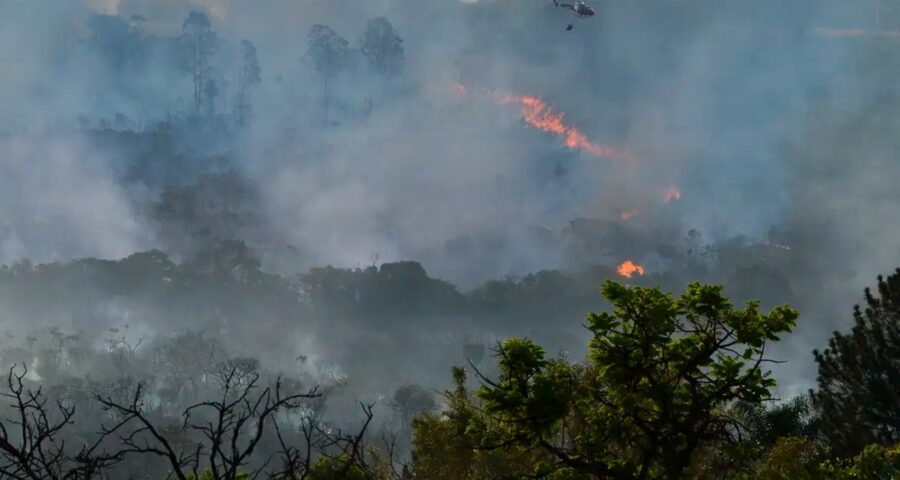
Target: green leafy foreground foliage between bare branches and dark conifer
671,388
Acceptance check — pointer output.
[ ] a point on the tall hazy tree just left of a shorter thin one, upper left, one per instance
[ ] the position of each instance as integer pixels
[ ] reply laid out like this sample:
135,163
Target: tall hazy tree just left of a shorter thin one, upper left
198,44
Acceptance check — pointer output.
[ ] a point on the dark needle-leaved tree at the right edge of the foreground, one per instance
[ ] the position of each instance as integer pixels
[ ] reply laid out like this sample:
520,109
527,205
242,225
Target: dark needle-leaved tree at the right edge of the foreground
858,395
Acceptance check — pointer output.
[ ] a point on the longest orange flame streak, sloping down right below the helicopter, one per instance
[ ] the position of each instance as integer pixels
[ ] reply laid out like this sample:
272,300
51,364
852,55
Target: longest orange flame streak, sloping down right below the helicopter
538,114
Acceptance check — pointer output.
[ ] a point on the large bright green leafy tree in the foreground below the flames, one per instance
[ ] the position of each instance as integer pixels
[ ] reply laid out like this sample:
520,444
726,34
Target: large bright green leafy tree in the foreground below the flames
659,373
